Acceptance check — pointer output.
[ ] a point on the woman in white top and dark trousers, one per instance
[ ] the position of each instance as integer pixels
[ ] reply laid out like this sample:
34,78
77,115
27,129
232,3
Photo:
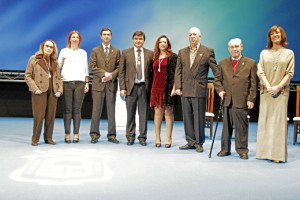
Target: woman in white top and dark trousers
74,70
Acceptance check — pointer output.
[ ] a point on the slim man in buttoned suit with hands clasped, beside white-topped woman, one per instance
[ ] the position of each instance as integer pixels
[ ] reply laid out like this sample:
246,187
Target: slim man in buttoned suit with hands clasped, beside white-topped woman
104,64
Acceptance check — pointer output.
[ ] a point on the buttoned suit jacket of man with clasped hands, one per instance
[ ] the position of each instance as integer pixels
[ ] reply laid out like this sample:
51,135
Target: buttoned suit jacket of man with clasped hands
99,66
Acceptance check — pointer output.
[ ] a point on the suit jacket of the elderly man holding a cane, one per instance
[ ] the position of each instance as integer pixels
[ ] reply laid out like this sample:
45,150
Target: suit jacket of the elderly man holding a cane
241,86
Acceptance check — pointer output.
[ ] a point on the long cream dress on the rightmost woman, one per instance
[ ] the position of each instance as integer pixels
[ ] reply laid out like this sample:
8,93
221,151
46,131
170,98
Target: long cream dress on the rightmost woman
272,121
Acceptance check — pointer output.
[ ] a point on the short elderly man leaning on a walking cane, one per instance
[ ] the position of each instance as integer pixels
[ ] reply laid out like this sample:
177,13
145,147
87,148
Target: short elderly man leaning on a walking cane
239,88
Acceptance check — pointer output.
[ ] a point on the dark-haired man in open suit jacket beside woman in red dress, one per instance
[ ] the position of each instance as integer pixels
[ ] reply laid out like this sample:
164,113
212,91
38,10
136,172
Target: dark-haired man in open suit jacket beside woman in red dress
135,84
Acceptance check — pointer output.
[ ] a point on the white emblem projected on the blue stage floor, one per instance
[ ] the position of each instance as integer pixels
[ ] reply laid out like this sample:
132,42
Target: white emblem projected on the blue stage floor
65,167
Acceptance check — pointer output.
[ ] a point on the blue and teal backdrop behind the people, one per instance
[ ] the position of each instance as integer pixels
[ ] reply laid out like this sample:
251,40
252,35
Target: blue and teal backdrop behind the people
26,23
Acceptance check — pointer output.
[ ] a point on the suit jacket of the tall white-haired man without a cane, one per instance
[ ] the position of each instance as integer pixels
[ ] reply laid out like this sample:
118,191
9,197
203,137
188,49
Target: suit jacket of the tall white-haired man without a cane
193,80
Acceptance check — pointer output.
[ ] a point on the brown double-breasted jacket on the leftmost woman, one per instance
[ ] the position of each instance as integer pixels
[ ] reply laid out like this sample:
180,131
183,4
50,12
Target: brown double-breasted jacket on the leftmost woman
37,77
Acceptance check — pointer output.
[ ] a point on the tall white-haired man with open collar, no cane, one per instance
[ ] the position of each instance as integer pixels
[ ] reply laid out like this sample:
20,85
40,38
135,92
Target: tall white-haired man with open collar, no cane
191,78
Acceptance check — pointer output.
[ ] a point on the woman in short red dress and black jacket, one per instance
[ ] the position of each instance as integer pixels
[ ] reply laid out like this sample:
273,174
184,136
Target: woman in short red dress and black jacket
163,88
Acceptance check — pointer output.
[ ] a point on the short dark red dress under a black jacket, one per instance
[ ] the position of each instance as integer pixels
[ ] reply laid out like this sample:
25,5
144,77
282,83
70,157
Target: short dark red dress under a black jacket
159,81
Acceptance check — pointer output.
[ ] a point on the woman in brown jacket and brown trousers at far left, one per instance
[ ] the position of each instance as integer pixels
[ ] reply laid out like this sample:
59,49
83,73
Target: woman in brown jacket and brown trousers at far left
43,78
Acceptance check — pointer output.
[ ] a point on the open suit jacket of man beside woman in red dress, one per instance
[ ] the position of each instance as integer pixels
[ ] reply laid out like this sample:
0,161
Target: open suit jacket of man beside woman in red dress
127,69
